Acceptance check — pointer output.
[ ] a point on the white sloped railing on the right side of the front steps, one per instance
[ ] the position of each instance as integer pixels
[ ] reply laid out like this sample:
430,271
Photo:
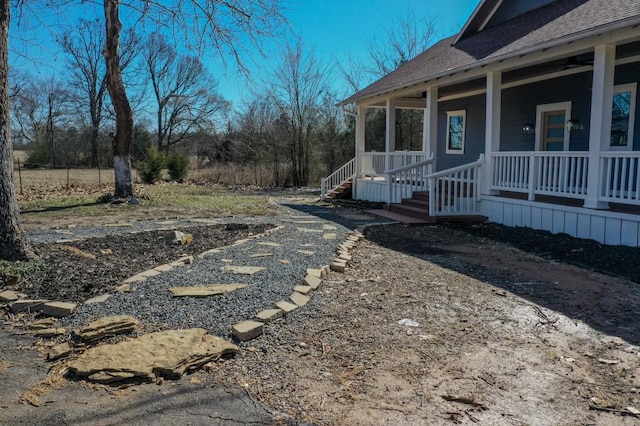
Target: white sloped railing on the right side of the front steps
455,191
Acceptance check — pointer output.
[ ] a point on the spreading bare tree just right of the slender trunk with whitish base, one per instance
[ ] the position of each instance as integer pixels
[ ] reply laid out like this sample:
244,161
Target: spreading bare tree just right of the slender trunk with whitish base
184,92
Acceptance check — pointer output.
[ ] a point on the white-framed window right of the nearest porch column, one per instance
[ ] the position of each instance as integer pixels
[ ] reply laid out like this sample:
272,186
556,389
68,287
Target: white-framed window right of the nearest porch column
622,117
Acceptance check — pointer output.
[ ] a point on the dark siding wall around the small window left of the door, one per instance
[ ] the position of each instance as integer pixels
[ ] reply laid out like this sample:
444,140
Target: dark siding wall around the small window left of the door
474,131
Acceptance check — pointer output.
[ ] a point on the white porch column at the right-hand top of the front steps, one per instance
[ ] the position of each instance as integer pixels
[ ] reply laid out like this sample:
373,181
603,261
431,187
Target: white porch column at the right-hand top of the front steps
492,127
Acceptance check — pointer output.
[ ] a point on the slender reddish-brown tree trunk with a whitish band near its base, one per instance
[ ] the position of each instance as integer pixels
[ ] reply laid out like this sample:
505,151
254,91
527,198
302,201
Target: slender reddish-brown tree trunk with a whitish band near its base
124,114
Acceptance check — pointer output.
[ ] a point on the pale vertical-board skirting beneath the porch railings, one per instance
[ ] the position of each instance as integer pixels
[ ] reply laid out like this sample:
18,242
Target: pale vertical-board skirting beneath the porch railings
600,225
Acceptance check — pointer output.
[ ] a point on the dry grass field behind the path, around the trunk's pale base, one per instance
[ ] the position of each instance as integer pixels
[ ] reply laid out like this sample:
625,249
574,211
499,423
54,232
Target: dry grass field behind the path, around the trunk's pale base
51,196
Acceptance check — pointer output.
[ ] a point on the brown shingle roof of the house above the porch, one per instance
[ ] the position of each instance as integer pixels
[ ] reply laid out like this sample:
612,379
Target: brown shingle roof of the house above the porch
539,27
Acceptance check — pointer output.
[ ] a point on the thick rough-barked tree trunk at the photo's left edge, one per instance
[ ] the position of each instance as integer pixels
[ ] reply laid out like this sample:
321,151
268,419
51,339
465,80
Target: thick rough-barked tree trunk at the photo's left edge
13,243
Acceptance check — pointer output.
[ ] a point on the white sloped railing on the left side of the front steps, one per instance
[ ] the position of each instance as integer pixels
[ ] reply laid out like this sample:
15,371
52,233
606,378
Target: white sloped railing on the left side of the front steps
403,181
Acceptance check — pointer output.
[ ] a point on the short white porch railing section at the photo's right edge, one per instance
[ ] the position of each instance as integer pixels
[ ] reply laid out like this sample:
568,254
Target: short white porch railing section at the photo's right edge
620,176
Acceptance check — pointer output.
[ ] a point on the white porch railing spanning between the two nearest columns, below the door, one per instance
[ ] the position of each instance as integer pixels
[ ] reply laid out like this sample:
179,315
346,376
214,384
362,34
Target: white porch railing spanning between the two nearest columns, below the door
561,174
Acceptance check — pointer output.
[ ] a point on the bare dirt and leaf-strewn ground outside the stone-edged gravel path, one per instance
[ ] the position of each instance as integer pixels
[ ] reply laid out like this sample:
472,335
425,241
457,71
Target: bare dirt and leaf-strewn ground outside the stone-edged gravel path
434,325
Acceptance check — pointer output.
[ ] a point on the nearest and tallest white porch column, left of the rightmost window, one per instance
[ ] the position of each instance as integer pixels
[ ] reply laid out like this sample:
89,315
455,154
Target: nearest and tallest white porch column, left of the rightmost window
600,126
